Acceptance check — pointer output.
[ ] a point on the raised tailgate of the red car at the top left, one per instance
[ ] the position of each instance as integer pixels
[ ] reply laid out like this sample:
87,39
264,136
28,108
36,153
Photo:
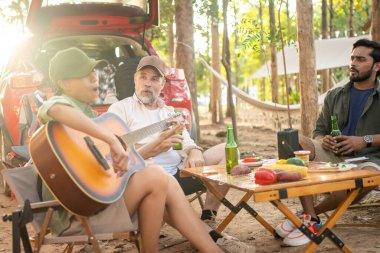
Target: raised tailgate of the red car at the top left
114,16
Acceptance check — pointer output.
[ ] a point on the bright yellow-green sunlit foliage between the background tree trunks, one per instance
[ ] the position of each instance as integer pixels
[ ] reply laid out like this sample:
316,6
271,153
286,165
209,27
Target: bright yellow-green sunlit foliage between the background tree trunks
245,30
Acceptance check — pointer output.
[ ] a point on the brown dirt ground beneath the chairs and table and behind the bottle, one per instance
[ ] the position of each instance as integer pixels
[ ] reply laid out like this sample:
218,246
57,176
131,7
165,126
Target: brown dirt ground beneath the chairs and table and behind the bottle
244,227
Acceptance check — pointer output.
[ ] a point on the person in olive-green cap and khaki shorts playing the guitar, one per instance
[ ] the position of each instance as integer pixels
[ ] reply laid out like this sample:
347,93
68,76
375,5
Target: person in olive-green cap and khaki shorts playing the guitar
150,194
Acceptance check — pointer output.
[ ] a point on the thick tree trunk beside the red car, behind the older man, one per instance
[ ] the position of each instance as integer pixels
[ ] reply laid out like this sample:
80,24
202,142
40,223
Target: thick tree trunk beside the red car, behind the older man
185,57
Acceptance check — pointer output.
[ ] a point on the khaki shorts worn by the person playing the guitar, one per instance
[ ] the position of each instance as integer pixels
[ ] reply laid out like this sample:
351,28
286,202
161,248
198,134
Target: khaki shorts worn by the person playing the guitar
114,219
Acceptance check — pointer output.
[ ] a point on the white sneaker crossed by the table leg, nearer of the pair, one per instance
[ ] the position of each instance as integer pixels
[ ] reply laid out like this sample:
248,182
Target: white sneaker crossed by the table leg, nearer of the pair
297,238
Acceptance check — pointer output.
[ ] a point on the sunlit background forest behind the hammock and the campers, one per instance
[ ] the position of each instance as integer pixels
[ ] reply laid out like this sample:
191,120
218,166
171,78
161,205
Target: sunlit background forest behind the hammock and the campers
236,38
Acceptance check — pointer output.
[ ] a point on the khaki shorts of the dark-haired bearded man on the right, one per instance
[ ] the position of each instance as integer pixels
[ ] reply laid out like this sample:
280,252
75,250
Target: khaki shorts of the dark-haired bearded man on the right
322,155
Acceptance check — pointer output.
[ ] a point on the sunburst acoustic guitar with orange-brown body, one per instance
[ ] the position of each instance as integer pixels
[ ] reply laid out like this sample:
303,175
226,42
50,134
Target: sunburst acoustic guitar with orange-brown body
78,169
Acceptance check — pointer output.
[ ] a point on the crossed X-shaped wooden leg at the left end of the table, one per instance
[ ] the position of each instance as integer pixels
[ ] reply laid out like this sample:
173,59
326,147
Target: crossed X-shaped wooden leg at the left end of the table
235,209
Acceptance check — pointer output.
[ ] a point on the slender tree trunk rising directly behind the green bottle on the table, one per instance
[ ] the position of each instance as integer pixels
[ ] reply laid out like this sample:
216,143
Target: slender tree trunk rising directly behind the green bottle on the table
227,66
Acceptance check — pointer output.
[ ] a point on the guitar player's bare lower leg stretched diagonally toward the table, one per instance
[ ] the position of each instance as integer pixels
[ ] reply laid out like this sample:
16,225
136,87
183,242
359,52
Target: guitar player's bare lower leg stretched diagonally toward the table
182,217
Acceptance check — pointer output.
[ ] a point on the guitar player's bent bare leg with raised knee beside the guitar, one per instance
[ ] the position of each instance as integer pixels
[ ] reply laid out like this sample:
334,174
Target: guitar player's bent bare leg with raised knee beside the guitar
146,193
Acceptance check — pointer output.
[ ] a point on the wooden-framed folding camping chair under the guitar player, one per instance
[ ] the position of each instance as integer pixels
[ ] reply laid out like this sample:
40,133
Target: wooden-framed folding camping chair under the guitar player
23,182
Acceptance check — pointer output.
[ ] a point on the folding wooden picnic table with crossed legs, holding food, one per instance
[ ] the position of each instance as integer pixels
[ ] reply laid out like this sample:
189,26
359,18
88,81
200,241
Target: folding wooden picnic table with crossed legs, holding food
314,183
